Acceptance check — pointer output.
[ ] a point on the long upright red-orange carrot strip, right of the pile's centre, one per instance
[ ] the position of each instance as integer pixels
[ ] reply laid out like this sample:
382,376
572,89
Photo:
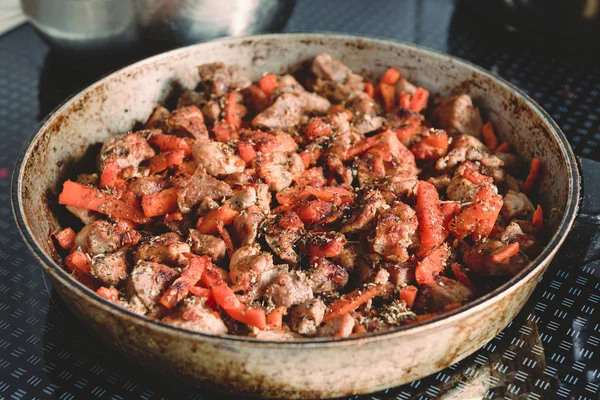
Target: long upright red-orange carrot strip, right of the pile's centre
430,218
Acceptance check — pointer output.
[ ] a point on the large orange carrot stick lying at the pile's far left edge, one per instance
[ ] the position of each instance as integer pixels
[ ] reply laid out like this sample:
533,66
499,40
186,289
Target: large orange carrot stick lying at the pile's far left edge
76,194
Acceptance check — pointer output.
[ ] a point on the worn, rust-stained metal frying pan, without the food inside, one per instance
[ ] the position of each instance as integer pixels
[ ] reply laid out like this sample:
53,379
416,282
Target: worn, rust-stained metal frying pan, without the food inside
312,368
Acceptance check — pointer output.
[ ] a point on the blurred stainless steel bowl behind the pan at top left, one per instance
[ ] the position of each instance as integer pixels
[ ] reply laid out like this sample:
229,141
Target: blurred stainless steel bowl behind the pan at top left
100,27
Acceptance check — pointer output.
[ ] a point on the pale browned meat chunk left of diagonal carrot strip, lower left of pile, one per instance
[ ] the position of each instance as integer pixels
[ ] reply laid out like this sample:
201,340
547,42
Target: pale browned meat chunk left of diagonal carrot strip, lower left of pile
150,279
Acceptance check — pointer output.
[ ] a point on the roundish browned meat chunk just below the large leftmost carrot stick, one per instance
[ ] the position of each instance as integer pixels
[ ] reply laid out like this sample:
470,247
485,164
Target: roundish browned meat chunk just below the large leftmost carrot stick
98,237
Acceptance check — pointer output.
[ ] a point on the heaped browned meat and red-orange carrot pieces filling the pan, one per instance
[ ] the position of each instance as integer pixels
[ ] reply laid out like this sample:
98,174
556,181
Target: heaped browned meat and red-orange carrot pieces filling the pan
314,205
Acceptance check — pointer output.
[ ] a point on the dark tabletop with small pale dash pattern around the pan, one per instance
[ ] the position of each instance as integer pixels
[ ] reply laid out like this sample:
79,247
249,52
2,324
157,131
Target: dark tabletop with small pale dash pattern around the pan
552,349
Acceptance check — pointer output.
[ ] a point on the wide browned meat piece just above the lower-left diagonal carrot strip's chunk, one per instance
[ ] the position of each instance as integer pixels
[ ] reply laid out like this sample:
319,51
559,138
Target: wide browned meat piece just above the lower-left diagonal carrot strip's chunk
166,248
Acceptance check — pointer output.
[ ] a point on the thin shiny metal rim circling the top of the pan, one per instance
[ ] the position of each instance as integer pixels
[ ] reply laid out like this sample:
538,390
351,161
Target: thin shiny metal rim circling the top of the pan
571,207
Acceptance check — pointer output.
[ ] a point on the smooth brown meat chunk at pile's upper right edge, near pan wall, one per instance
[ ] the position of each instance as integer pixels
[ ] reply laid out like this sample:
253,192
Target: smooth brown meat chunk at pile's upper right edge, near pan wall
458,115
